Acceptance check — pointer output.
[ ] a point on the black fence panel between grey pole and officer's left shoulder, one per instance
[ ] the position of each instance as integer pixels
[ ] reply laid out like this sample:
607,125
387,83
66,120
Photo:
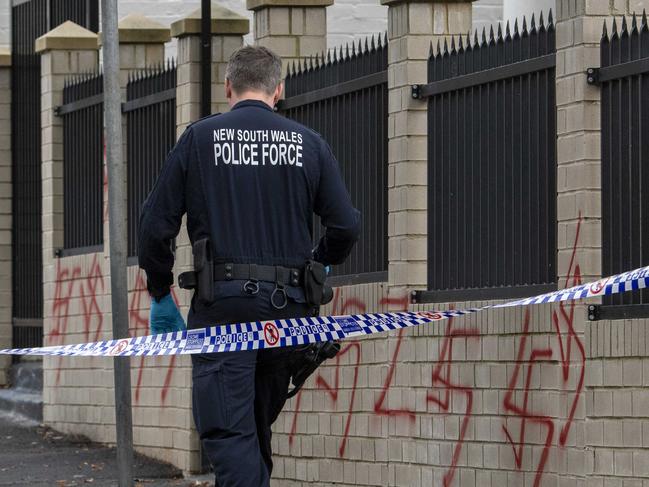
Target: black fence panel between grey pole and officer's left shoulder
151,133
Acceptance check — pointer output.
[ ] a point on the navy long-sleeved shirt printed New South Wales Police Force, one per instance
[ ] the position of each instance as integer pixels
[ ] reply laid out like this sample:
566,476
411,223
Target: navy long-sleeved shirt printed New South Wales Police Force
250,180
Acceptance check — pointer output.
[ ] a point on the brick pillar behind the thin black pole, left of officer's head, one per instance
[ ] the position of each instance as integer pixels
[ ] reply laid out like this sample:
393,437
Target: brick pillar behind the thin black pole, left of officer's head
228,29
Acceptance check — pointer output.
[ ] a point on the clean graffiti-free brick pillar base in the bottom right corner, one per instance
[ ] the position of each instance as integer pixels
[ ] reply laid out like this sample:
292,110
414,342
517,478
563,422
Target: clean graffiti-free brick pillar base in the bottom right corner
617,402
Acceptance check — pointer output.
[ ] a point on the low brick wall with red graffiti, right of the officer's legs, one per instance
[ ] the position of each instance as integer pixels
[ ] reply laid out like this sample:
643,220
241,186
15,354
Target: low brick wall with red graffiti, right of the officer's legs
445,404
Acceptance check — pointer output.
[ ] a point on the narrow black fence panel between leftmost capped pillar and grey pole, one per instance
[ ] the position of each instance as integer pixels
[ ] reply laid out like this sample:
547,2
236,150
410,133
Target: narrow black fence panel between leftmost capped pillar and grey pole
83,164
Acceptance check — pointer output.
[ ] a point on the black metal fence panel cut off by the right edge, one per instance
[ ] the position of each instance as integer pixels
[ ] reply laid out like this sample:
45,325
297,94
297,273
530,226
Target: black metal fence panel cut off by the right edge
624,78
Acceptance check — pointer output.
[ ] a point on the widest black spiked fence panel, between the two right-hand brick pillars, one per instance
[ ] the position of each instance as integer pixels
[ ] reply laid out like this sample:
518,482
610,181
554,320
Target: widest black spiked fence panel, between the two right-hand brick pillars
492,165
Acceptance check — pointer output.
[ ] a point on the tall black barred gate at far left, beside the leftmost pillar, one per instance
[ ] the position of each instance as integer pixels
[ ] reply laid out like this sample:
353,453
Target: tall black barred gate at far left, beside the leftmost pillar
29,20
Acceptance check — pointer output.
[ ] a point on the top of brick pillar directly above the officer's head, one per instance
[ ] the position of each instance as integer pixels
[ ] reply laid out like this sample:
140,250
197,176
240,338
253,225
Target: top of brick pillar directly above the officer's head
292,28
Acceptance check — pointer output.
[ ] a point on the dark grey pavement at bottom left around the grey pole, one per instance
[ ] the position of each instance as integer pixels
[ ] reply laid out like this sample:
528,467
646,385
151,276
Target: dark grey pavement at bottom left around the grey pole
33,455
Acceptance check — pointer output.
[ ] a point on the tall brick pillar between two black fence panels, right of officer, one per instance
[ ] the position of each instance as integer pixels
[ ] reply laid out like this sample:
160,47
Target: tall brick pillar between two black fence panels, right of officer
412,26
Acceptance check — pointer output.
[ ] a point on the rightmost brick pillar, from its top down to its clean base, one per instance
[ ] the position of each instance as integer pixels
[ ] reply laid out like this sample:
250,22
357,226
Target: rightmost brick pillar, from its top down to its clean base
616,434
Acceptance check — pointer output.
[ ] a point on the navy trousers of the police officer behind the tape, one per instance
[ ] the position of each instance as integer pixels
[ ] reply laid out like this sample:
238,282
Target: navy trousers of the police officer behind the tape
237,396
